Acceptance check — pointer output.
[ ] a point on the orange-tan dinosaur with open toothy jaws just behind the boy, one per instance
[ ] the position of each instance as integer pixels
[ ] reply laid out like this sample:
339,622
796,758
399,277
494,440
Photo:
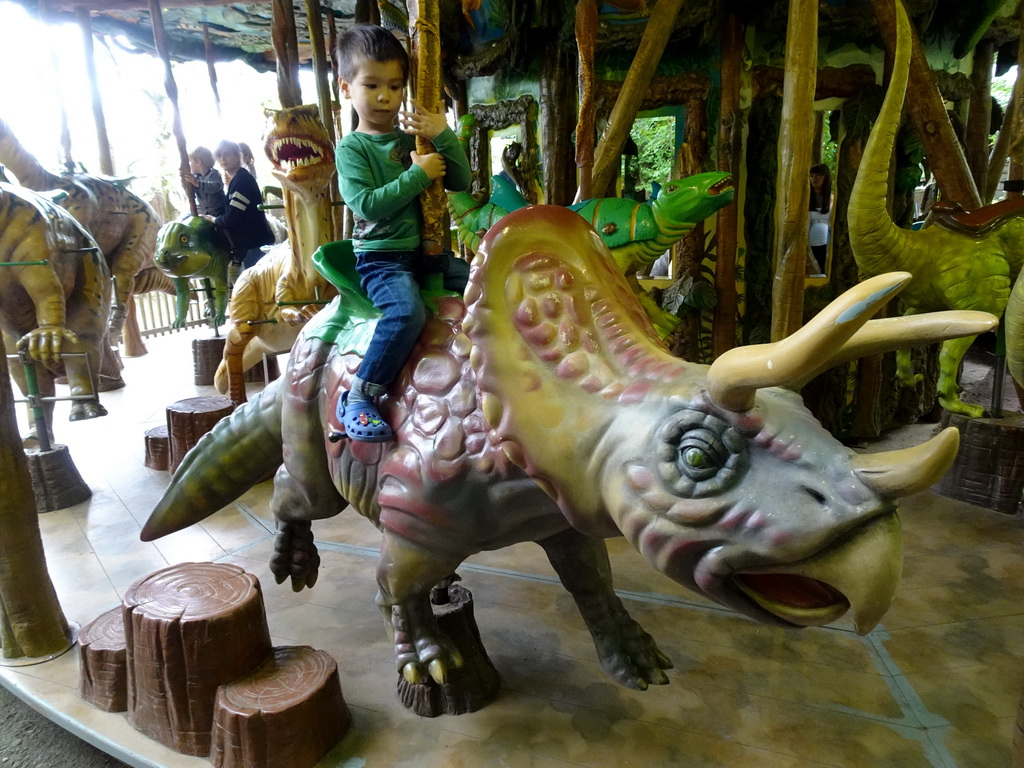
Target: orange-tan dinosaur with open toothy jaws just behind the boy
267,307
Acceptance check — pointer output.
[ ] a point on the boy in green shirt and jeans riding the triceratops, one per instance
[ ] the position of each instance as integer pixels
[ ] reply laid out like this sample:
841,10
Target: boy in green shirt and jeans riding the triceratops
381,177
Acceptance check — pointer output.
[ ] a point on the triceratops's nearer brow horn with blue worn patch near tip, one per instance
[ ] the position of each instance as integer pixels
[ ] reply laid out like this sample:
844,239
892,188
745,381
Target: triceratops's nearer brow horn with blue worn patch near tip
736,377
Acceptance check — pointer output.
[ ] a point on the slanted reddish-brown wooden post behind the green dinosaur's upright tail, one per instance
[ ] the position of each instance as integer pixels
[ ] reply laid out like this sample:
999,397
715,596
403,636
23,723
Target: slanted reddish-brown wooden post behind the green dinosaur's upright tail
946,156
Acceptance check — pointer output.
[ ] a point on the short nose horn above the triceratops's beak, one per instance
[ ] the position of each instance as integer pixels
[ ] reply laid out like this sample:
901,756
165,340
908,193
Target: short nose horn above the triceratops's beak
897,474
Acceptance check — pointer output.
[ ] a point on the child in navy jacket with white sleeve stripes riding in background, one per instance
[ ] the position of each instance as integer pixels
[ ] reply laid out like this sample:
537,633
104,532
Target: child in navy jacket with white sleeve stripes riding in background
243,222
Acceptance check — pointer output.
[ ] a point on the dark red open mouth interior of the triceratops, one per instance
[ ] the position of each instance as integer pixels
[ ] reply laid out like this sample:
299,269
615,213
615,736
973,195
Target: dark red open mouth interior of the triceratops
798,600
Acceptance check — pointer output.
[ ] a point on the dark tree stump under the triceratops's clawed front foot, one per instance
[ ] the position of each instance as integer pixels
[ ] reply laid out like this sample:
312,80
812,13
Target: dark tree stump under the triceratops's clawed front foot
468,689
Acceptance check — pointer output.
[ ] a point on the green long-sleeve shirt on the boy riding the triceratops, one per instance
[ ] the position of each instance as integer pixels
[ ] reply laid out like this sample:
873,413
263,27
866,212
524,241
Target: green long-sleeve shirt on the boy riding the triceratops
381,185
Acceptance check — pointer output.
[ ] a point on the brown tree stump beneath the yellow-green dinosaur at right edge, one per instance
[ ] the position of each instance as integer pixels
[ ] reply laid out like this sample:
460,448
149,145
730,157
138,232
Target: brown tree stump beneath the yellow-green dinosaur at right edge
990,466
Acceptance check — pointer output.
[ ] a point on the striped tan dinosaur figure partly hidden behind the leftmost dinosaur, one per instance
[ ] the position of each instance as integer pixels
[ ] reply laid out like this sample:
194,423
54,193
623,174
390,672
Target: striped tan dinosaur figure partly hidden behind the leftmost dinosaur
122,224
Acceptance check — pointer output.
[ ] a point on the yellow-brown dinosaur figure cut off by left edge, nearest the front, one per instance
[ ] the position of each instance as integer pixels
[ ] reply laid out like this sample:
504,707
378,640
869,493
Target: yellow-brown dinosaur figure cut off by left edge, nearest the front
55,298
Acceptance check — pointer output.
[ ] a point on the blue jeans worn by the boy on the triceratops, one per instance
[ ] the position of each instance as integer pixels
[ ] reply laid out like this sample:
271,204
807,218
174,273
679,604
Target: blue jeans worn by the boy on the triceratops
391,280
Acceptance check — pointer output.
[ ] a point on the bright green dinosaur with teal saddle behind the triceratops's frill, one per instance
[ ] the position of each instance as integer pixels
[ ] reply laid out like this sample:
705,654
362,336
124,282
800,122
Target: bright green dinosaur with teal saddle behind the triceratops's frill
635,233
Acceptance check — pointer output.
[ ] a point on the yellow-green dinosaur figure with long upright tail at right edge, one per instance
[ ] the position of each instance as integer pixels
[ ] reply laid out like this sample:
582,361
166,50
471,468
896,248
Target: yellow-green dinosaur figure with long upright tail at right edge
969,268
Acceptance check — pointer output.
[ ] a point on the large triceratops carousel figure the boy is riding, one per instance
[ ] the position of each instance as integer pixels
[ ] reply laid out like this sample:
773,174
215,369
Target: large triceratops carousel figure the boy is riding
545,409
